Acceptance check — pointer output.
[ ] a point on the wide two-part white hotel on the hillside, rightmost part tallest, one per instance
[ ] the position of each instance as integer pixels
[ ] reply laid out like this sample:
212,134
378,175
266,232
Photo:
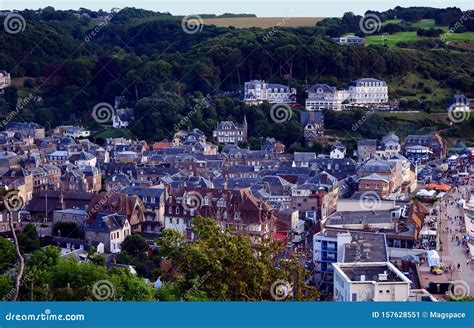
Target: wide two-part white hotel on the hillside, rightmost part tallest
364,91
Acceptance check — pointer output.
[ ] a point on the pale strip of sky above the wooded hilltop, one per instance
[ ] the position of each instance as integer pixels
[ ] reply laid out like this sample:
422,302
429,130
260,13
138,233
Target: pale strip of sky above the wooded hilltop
262,8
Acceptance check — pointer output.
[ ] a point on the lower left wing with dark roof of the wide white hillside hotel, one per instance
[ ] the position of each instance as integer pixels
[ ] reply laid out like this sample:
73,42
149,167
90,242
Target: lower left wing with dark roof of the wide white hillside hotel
322,96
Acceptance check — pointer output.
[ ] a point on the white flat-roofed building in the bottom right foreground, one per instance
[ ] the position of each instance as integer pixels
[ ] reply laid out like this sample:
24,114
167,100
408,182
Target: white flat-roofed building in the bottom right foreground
370,281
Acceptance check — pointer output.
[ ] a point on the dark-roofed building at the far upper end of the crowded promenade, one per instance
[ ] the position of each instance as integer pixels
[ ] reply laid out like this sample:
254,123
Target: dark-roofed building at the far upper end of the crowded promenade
434,142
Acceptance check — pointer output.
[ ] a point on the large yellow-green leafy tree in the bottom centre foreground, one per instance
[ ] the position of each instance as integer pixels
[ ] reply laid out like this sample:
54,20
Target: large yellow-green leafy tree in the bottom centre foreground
221,265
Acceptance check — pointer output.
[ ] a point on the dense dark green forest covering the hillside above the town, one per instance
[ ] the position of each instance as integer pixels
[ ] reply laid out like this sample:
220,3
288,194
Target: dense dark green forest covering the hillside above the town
71,62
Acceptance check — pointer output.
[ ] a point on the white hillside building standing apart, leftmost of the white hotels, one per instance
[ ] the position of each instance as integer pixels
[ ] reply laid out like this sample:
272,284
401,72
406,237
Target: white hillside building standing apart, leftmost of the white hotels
256,92
